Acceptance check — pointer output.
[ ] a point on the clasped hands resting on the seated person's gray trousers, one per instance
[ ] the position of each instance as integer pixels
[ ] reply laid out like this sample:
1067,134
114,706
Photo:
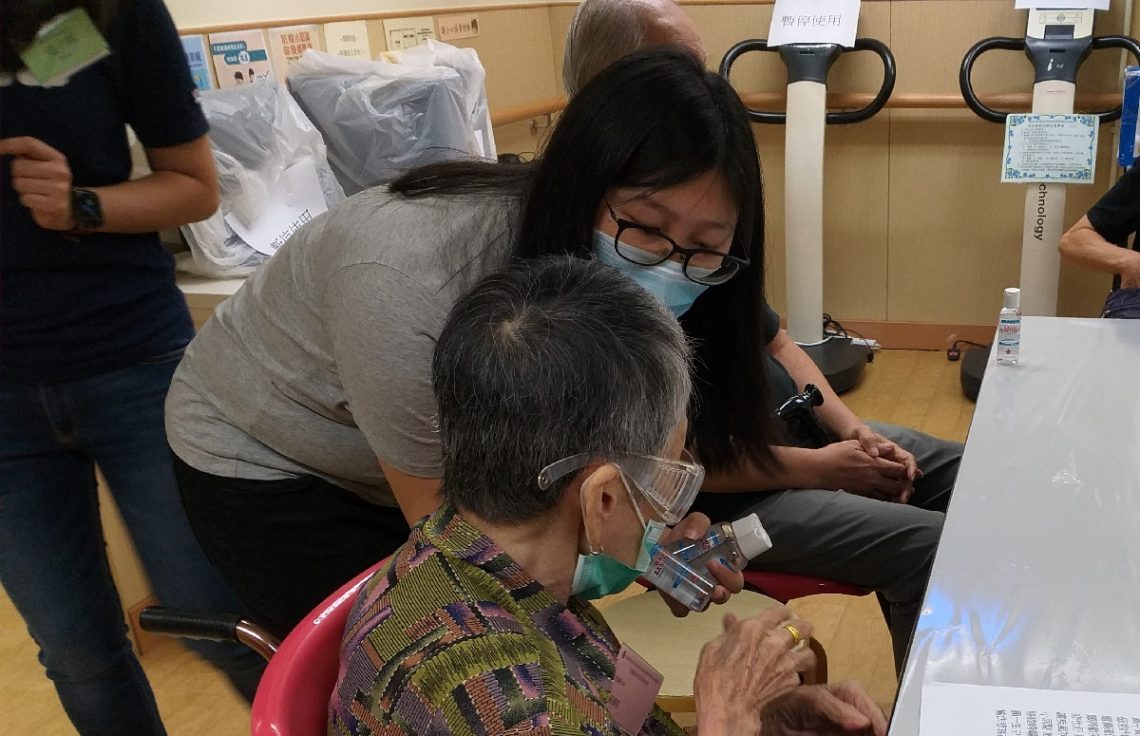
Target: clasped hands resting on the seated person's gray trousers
848,465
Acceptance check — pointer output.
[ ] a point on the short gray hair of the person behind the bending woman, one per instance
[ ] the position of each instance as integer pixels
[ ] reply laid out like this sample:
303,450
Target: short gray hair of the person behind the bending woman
601,32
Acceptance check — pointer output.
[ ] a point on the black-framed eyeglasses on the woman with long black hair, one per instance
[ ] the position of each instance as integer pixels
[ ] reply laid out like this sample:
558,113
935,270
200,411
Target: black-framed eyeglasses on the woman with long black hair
649,247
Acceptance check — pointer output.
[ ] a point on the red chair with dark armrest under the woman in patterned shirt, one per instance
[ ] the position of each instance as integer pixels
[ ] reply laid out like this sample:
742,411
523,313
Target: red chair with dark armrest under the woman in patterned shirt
292,698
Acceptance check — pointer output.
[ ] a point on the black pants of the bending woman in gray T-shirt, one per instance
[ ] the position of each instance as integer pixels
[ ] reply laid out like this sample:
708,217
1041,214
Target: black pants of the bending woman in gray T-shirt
283,546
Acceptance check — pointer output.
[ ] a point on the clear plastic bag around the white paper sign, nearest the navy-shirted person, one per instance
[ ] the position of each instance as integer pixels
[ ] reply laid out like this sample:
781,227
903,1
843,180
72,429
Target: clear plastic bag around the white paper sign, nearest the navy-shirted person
257,132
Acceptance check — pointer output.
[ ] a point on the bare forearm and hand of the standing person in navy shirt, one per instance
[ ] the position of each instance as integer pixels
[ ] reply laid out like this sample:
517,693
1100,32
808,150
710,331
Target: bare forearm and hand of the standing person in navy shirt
182,189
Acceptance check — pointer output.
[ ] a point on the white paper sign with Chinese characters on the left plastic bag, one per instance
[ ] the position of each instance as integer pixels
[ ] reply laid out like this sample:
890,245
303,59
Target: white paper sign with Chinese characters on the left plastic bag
295,201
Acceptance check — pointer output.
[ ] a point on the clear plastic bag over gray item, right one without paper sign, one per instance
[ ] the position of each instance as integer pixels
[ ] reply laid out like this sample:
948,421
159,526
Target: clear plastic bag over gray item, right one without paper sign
381,119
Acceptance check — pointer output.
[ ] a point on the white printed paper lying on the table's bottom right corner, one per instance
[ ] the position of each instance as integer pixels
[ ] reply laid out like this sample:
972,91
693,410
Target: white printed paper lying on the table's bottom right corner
983,710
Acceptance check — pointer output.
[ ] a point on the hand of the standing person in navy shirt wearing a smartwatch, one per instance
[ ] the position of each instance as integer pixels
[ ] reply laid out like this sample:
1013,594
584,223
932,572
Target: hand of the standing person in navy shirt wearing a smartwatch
42,177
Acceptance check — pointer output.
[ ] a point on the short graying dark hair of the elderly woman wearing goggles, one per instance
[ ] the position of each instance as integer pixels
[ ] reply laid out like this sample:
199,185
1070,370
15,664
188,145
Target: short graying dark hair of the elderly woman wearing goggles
547,359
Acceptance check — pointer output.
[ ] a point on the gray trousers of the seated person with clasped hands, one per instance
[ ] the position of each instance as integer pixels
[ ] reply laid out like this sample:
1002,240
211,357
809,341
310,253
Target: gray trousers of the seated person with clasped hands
861,542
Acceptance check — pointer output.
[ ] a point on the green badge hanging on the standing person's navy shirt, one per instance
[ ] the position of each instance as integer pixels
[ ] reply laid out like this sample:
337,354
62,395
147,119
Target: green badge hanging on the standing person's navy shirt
64,46
